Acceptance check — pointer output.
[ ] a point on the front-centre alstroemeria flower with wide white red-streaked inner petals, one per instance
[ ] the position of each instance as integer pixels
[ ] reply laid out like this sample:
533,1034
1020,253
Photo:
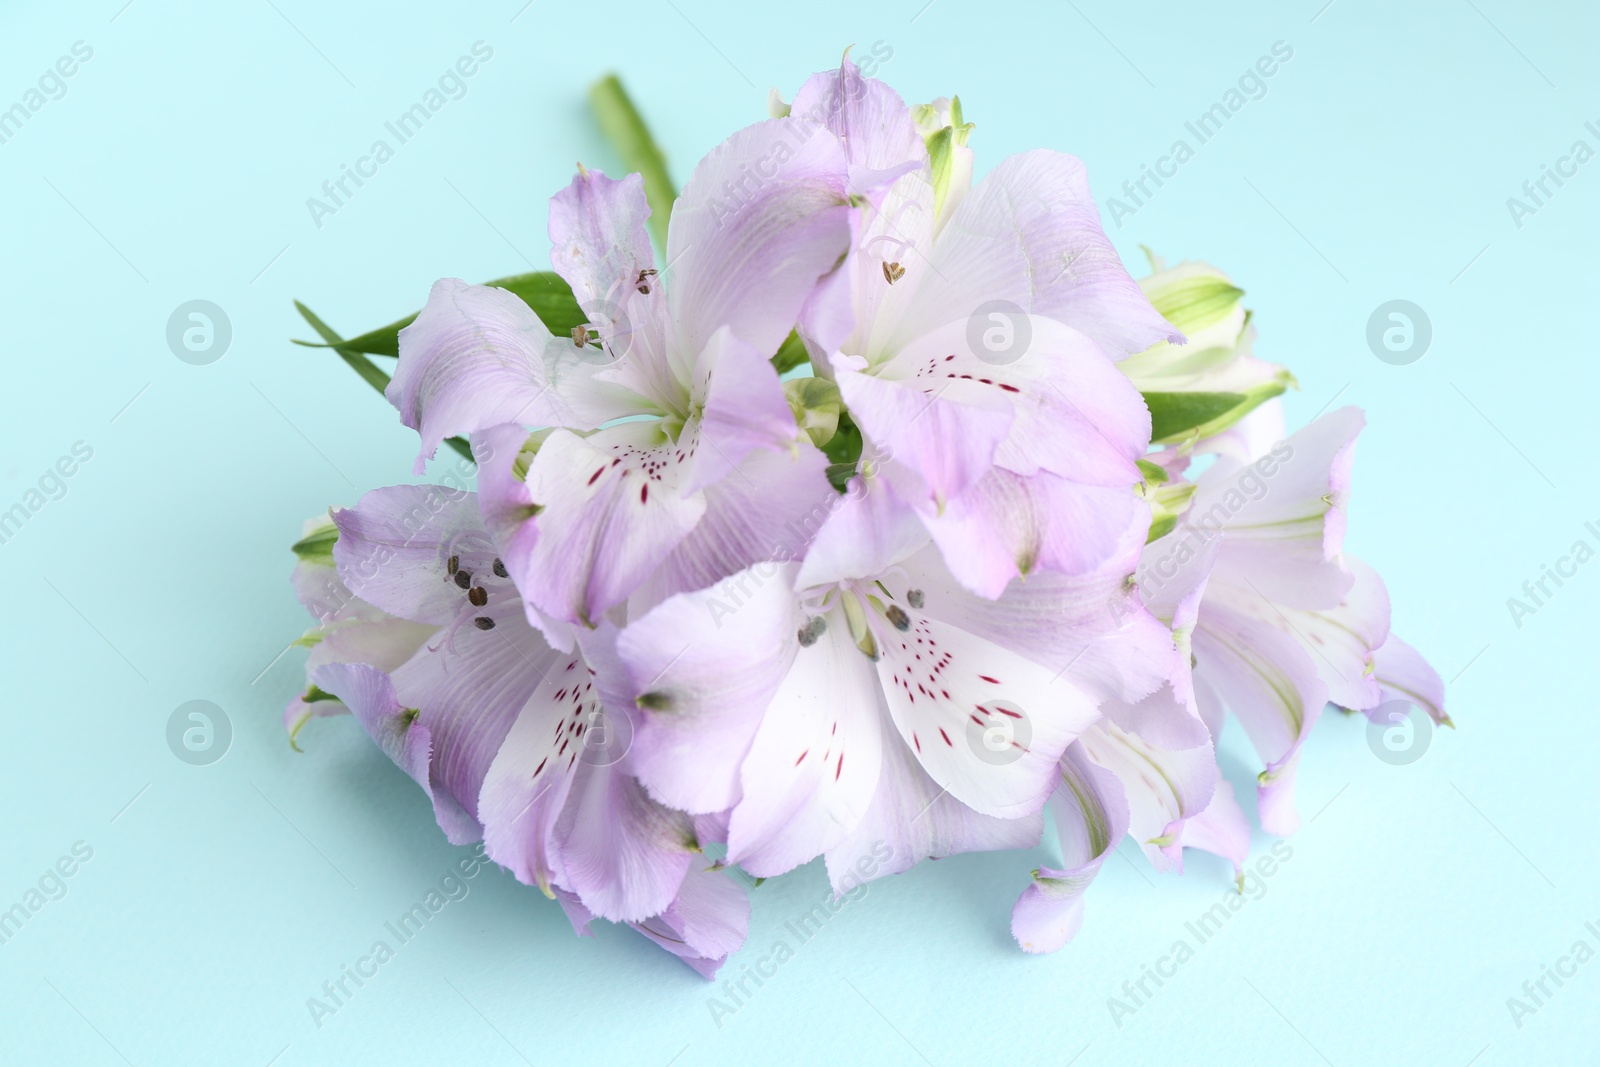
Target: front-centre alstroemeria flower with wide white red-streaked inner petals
892,708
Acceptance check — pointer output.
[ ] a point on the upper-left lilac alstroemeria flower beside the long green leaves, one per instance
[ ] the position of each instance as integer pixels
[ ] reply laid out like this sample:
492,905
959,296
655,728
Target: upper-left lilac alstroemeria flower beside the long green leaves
668,418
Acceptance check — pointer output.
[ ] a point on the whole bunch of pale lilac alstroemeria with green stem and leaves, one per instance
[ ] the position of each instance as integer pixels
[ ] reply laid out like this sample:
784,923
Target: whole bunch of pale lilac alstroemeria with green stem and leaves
866,518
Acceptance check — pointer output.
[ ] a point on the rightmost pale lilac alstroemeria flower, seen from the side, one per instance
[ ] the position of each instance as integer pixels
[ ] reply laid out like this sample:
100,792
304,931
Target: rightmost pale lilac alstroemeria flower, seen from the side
1289,621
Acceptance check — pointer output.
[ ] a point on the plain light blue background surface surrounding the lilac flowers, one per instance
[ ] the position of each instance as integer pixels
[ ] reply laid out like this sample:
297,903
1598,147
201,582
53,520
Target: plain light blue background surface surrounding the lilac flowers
178,167
